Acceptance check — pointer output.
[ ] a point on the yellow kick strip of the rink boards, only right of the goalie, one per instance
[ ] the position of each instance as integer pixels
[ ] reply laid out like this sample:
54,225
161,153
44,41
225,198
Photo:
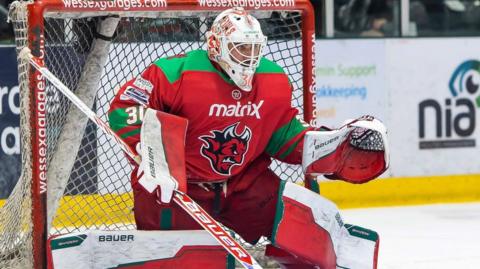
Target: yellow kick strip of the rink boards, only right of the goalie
404,191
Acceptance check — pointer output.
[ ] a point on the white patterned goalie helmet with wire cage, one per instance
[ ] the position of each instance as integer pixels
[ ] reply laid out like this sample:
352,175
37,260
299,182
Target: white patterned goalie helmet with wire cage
236,42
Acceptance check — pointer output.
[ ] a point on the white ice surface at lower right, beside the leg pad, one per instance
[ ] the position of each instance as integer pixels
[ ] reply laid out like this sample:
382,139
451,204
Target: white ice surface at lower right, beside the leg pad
419,237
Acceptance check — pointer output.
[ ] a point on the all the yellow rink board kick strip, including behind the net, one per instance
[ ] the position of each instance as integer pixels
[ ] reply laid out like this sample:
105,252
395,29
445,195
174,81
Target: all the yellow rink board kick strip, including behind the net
386,192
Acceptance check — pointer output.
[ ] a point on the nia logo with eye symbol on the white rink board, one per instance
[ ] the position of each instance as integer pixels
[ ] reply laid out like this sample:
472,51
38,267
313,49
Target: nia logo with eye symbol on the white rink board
452,120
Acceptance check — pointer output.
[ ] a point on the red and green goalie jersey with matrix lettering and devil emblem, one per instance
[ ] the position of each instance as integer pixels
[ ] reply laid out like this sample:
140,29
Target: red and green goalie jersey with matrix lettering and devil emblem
228,128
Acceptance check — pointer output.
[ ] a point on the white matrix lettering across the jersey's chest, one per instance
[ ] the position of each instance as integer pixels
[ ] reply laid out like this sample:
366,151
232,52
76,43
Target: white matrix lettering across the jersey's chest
238,110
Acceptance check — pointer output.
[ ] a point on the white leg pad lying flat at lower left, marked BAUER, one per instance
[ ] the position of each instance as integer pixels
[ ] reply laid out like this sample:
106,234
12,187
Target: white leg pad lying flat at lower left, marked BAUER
152,249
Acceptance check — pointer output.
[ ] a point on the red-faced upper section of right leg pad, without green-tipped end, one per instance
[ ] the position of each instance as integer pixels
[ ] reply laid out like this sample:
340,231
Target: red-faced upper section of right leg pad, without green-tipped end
305,225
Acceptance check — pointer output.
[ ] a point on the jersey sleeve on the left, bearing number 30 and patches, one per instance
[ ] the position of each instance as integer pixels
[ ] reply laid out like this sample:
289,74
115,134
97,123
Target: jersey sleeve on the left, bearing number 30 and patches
151,89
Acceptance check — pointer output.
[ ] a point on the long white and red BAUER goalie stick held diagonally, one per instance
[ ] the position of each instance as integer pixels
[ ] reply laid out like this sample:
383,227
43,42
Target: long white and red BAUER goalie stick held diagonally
182,199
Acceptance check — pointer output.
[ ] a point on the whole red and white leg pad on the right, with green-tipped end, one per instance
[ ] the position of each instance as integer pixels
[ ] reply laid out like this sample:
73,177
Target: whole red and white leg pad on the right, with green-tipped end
310,232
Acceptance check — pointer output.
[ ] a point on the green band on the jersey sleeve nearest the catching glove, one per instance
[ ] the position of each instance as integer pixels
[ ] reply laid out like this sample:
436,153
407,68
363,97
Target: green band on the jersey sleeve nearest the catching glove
283,135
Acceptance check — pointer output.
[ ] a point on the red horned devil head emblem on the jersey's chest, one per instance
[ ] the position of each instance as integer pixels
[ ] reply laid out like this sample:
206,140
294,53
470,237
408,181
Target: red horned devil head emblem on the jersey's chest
225,149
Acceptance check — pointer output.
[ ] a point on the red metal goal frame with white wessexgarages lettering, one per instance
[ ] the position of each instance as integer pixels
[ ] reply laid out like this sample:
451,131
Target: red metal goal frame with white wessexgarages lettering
36,44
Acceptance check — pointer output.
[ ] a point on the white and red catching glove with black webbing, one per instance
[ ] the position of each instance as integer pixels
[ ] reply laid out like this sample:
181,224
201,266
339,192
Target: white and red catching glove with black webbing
365,134
